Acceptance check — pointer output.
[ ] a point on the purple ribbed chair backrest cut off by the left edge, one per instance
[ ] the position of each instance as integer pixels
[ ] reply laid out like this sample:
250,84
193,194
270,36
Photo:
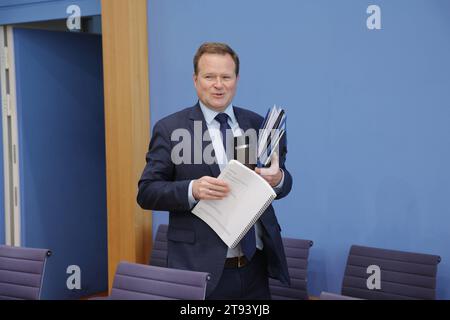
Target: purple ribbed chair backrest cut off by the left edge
21,272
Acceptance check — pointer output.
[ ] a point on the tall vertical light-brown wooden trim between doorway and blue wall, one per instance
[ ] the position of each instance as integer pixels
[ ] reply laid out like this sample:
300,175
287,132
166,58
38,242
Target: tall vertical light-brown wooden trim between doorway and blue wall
127,125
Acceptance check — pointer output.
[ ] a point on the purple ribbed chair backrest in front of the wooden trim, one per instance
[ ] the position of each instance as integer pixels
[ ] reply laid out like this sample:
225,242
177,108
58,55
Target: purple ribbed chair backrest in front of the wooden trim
143,282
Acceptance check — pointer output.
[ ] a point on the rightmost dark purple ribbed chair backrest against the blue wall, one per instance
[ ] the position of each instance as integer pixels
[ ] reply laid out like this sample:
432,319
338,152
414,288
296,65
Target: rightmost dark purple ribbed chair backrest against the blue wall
404,275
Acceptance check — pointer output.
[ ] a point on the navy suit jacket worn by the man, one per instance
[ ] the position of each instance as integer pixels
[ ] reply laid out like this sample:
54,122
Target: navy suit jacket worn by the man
192,244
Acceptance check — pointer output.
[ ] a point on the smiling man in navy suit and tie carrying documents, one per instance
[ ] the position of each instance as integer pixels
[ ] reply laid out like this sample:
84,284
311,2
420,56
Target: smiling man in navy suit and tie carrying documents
168,184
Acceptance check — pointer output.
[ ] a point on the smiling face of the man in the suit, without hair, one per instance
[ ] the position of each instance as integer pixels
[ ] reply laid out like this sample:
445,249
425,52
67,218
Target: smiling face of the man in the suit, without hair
216,80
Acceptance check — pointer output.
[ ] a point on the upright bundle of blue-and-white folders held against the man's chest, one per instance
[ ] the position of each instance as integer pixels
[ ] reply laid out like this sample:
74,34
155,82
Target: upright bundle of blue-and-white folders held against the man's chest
271,132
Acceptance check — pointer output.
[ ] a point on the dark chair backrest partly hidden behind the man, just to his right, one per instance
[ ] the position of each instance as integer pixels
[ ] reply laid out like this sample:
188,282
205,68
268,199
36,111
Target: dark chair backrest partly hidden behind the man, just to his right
297,253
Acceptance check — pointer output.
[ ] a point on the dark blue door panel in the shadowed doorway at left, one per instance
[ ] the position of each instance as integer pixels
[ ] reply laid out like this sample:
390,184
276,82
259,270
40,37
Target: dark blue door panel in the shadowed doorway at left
62,156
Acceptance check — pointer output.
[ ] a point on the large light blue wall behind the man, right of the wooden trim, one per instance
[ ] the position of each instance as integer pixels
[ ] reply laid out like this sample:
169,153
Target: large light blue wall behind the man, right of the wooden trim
368,114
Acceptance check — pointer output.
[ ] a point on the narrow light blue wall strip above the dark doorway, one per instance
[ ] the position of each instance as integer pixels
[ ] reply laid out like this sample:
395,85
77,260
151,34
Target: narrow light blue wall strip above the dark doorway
20,11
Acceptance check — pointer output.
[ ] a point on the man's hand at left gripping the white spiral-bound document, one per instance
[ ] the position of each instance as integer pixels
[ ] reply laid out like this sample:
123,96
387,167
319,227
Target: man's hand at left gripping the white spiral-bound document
209,188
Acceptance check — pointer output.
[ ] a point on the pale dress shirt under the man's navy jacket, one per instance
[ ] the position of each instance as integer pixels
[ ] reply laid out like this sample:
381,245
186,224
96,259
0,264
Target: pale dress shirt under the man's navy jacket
222,160
